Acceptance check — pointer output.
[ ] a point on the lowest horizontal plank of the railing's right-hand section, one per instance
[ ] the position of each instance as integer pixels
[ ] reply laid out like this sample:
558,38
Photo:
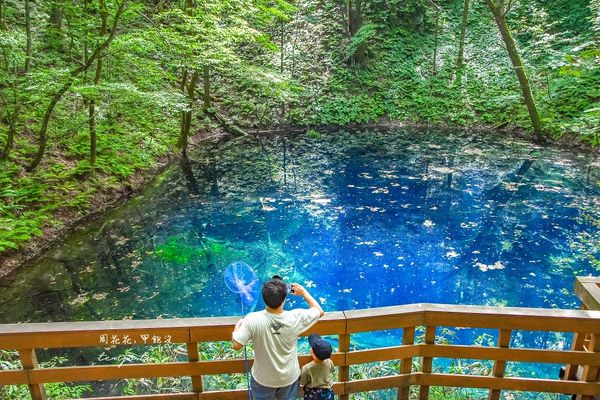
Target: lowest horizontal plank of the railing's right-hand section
519,384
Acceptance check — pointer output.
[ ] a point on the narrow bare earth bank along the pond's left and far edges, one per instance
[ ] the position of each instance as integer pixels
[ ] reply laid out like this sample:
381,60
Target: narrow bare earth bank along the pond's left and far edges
104,202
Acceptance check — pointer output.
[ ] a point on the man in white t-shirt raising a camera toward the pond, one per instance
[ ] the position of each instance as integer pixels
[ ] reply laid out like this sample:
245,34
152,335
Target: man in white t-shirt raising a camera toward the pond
274,332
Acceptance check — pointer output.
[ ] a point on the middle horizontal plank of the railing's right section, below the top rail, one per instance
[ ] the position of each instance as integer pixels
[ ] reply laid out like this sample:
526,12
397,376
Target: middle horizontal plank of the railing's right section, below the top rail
512,354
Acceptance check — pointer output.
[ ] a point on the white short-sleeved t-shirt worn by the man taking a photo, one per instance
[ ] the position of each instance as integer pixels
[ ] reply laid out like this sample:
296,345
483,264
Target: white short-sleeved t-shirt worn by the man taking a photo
275,338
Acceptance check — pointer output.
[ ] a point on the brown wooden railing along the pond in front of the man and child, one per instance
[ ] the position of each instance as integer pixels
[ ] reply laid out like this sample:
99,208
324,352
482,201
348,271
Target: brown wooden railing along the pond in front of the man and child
28,338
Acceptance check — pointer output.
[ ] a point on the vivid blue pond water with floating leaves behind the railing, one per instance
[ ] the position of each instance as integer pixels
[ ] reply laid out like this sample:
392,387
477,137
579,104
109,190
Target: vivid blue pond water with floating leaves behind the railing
362,219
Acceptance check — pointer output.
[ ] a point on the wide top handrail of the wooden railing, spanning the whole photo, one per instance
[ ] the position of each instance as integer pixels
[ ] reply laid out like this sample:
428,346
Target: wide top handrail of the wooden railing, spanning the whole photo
107,333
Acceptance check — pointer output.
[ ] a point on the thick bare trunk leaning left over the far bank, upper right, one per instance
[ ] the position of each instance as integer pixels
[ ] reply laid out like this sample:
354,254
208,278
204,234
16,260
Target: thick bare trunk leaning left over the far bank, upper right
500,17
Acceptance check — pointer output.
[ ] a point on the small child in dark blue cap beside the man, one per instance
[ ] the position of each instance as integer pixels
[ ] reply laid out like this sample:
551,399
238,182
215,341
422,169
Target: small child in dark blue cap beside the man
317,378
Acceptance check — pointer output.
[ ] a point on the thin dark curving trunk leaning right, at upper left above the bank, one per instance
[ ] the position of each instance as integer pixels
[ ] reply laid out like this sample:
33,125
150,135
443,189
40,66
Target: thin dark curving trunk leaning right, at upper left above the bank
74,74
